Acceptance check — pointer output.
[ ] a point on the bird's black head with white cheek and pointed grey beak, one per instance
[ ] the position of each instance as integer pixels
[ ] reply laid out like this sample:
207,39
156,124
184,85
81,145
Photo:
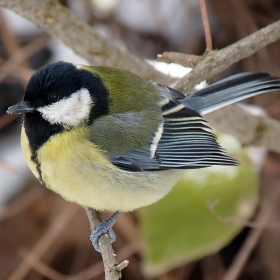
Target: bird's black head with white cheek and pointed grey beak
64,94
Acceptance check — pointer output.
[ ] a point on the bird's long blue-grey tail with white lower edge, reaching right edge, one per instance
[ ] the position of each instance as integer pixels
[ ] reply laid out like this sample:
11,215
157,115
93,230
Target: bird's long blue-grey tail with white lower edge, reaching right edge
230,90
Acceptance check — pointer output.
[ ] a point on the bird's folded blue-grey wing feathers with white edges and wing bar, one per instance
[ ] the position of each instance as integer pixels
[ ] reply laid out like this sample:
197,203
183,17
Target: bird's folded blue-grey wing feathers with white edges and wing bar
185,141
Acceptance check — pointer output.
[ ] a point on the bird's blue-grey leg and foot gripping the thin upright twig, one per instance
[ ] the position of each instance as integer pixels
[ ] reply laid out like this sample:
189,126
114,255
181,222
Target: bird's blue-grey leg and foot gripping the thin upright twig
103,227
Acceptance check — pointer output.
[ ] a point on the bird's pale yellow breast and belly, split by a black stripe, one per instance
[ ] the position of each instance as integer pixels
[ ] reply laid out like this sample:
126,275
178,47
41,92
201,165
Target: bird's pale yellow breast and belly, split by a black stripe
78,170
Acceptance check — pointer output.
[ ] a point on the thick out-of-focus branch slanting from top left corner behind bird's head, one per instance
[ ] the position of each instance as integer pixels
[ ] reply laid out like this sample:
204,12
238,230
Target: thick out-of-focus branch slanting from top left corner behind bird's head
60,23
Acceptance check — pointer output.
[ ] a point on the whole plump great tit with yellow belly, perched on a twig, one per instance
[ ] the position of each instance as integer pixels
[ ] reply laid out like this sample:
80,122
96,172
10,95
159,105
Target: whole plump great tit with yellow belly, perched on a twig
107,139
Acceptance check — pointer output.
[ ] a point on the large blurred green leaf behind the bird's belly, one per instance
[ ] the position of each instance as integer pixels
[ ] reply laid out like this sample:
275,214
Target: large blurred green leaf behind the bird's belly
182,228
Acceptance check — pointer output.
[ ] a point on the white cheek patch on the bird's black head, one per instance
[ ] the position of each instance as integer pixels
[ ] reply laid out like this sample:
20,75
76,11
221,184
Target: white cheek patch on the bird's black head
69,111
